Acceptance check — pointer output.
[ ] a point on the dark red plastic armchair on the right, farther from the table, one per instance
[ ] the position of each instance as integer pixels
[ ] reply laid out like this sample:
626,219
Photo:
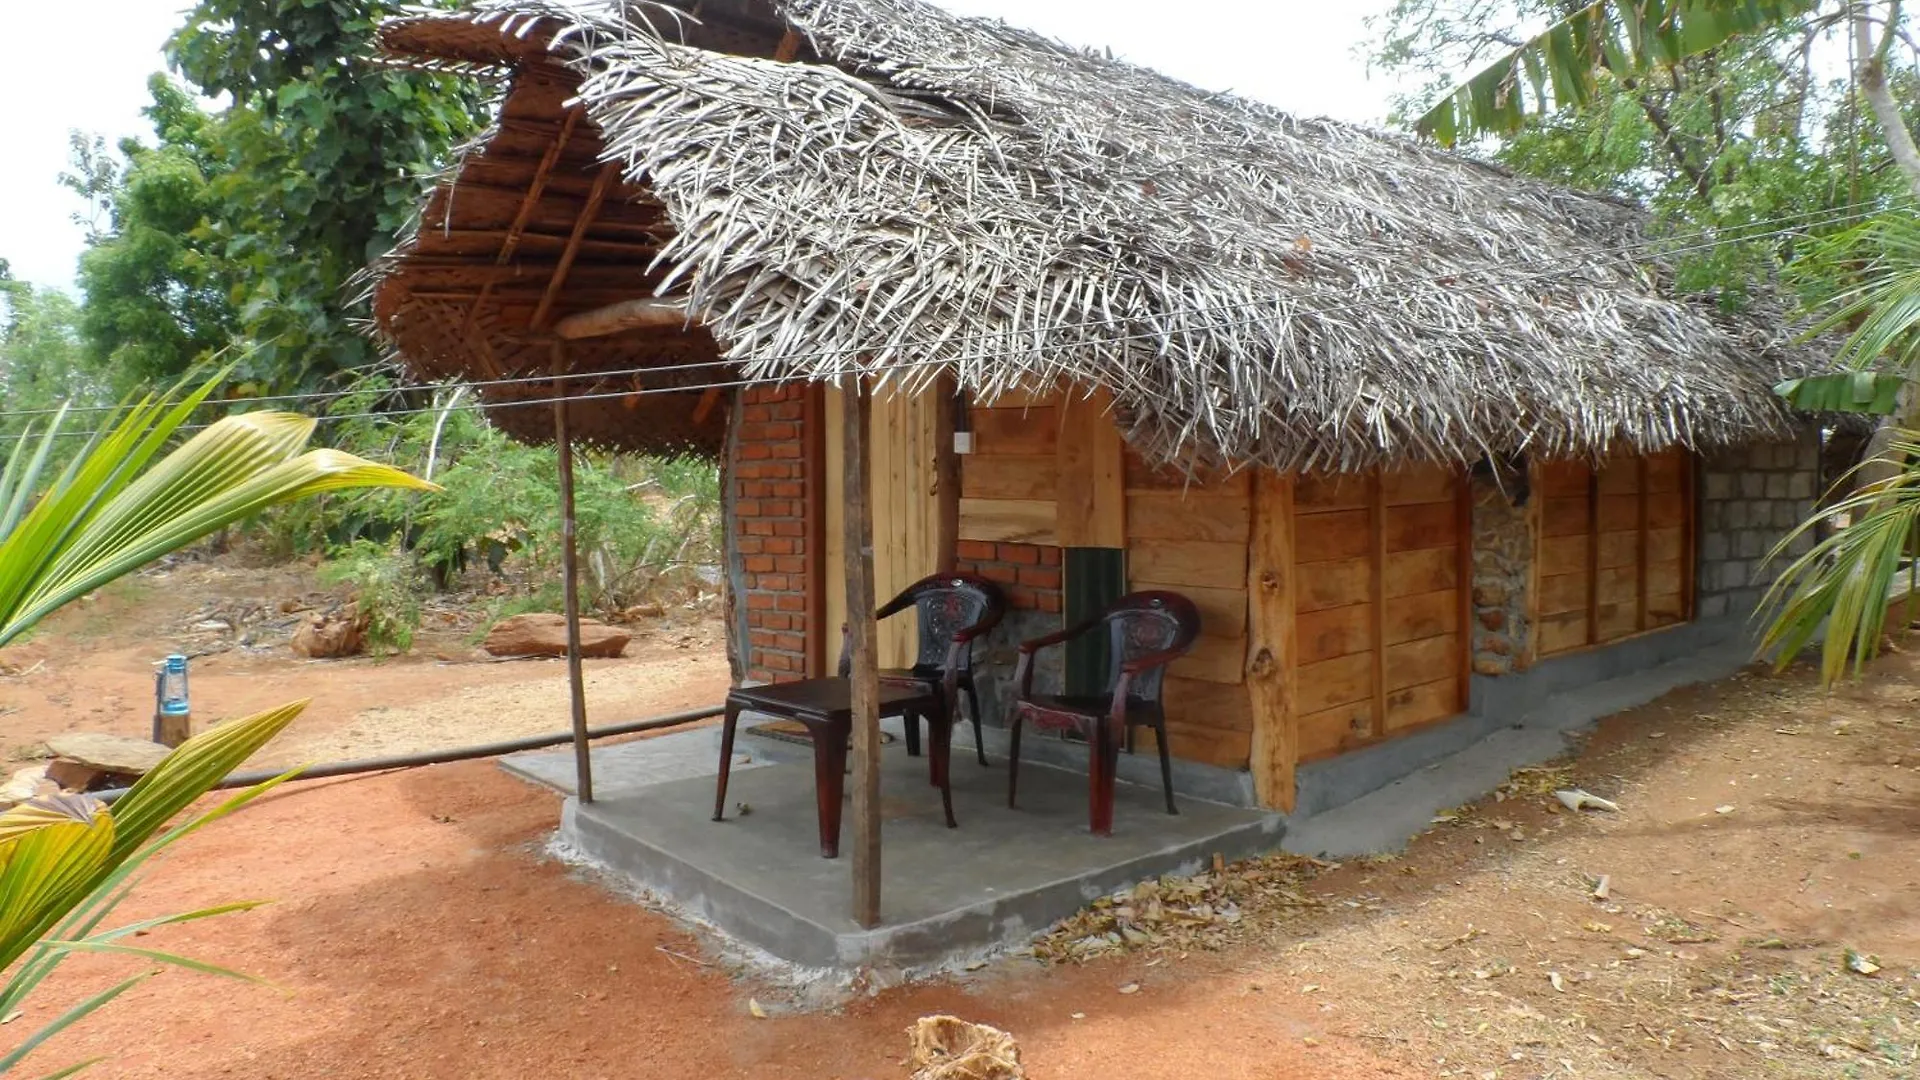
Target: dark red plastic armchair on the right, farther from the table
1147,631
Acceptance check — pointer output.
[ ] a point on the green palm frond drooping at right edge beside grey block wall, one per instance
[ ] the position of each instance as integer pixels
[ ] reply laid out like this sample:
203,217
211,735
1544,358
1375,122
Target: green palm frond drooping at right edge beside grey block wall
1840,587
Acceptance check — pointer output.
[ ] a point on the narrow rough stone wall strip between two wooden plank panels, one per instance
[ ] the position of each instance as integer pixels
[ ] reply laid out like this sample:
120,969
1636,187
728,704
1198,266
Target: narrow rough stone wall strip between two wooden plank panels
1502,564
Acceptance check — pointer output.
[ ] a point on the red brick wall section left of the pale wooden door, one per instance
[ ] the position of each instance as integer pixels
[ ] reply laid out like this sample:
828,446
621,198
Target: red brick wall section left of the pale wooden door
769,481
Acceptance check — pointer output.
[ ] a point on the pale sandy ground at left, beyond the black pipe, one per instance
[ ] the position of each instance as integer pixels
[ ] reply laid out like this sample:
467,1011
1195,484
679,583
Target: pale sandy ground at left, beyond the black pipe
91,670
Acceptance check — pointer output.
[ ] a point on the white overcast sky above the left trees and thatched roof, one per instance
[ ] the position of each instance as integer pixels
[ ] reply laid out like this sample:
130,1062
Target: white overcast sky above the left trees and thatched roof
1297,55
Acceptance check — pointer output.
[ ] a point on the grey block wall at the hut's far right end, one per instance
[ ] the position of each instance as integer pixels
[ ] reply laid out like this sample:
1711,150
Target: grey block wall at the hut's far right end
1750,497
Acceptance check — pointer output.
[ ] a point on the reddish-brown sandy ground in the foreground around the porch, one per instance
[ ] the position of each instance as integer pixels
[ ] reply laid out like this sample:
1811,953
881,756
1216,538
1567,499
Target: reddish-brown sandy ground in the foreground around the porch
1765,831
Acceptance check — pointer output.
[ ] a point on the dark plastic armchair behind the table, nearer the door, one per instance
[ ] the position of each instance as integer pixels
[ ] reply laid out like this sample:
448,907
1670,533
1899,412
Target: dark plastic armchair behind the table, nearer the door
955,610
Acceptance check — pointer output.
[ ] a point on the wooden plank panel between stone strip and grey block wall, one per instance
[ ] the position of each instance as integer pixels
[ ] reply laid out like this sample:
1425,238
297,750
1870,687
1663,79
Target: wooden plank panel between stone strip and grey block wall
1614,549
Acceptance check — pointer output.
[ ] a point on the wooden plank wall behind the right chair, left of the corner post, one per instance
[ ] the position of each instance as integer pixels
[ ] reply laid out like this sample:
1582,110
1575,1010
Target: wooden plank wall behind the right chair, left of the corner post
1191,537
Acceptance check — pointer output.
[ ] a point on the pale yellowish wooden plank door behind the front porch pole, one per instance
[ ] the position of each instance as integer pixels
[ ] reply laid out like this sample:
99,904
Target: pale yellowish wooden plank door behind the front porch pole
907,535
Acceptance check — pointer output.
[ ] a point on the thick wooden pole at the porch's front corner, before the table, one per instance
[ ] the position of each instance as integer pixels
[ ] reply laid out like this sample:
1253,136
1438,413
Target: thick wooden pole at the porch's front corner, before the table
863,649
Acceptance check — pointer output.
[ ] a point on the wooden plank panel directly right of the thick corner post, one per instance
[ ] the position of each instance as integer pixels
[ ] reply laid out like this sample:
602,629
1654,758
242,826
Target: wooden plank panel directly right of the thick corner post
1380,606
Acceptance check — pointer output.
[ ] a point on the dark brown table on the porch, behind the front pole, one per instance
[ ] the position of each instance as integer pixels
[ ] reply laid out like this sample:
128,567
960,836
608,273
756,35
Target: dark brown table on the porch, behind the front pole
827,708
